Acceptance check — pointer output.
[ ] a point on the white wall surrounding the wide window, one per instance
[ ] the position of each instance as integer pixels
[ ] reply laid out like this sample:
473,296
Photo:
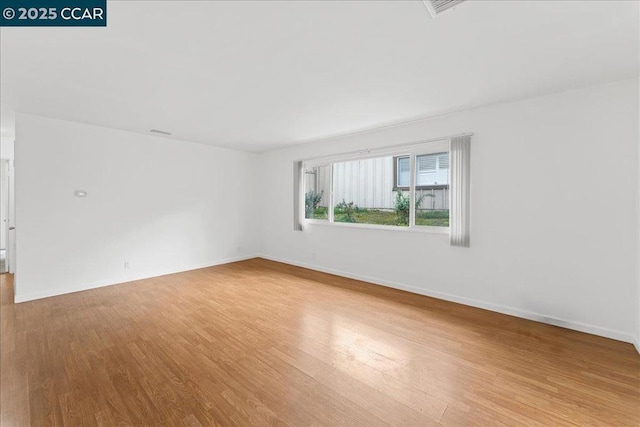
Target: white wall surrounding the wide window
539,247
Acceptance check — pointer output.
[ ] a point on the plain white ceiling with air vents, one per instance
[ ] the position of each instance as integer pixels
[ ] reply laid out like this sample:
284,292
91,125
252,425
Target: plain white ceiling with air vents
260,75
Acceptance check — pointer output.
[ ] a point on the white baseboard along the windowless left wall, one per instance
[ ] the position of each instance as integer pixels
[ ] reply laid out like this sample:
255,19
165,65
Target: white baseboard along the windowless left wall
100,284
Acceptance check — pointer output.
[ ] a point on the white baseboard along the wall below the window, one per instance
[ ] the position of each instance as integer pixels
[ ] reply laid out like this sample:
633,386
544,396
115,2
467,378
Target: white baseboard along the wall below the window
569,324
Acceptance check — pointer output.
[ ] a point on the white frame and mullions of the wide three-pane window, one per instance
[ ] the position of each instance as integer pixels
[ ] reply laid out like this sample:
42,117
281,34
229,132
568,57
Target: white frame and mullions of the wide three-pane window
412,151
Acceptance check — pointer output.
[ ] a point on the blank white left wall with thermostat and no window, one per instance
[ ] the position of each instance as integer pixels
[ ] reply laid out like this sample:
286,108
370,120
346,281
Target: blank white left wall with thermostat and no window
162,205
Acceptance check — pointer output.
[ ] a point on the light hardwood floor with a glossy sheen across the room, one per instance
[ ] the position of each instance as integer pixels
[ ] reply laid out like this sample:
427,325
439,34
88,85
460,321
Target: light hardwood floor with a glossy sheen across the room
263,343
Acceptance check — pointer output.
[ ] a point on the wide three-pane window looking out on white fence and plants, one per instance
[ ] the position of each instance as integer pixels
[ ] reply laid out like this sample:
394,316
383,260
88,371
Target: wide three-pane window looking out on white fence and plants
377,190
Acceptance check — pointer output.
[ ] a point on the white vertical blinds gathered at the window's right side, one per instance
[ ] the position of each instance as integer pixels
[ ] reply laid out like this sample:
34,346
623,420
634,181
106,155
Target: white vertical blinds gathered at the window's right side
460,170
